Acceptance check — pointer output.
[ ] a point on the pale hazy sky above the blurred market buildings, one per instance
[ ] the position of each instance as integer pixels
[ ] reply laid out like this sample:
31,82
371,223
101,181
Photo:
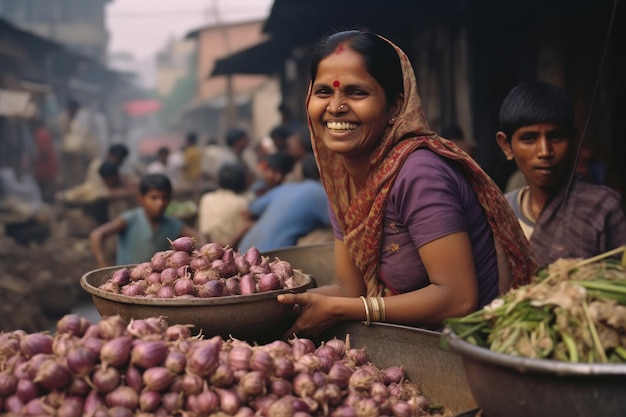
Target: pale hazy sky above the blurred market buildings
142,27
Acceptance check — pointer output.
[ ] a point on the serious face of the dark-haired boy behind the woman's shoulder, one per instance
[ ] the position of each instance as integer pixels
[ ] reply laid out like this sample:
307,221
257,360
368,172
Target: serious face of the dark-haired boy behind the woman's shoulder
541,152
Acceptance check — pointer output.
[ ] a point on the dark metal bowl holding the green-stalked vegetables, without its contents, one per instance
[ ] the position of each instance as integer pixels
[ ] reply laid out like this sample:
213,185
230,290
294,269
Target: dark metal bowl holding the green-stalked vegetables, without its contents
510,386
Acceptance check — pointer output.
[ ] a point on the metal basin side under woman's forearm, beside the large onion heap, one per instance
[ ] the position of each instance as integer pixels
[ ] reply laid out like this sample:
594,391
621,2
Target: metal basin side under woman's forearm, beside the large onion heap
438,372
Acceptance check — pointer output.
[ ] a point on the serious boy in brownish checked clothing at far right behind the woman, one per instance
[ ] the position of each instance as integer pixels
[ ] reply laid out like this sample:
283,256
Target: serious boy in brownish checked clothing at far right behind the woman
562,216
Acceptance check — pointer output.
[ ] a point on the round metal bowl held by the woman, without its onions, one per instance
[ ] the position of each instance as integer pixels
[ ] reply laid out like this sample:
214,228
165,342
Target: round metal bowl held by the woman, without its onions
254,318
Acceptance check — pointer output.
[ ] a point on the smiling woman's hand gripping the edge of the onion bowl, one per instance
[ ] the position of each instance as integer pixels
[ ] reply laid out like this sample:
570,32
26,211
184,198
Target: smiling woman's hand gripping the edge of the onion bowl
317,313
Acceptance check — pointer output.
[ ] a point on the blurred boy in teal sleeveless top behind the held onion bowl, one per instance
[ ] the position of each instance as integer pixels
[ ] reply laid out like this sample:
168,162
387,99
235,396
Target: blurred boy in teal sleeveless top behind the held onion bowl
144,230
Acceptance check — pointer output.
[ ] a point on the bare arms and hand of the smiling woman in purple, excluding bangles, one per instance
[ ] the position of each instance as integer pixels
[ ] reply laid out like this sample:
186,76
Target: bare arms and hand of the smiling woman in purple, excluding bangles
452,292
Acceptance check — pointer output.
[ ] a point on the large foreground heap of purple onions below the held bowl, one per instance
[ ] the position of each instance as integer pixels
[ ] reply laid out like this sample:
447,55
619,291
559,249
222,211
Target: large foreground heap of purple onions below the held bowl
149,368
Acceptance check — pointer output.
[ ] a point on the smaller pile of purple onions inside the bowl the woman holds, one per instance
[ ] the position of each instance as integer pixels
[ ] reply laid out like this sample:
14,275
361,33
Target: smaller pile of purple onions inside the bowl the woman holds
211,271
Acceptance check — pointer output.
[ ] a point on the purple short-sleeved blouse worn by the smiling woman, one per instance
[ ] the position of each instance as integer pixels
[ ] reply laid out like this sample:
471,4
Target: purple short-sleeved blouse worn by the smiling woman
431,198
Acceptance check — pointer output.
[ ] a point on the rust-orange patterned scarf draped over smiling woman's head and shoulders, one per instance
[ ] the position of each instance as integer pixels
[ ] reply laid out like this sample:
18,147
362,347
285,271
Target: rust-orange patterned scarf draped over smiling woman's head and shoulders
361,217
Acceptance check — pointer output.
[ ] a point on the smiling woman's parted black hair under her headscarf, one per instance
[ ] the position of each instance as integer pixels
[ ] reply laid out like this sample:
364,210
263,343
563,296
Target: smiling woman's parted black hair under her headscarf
381,59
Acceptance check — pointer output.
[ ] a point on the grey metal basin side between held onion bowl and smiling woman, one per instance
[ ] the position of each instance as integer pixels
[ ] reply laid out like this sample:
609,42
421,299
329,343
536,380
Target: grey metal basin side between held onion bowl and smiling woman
316,260
